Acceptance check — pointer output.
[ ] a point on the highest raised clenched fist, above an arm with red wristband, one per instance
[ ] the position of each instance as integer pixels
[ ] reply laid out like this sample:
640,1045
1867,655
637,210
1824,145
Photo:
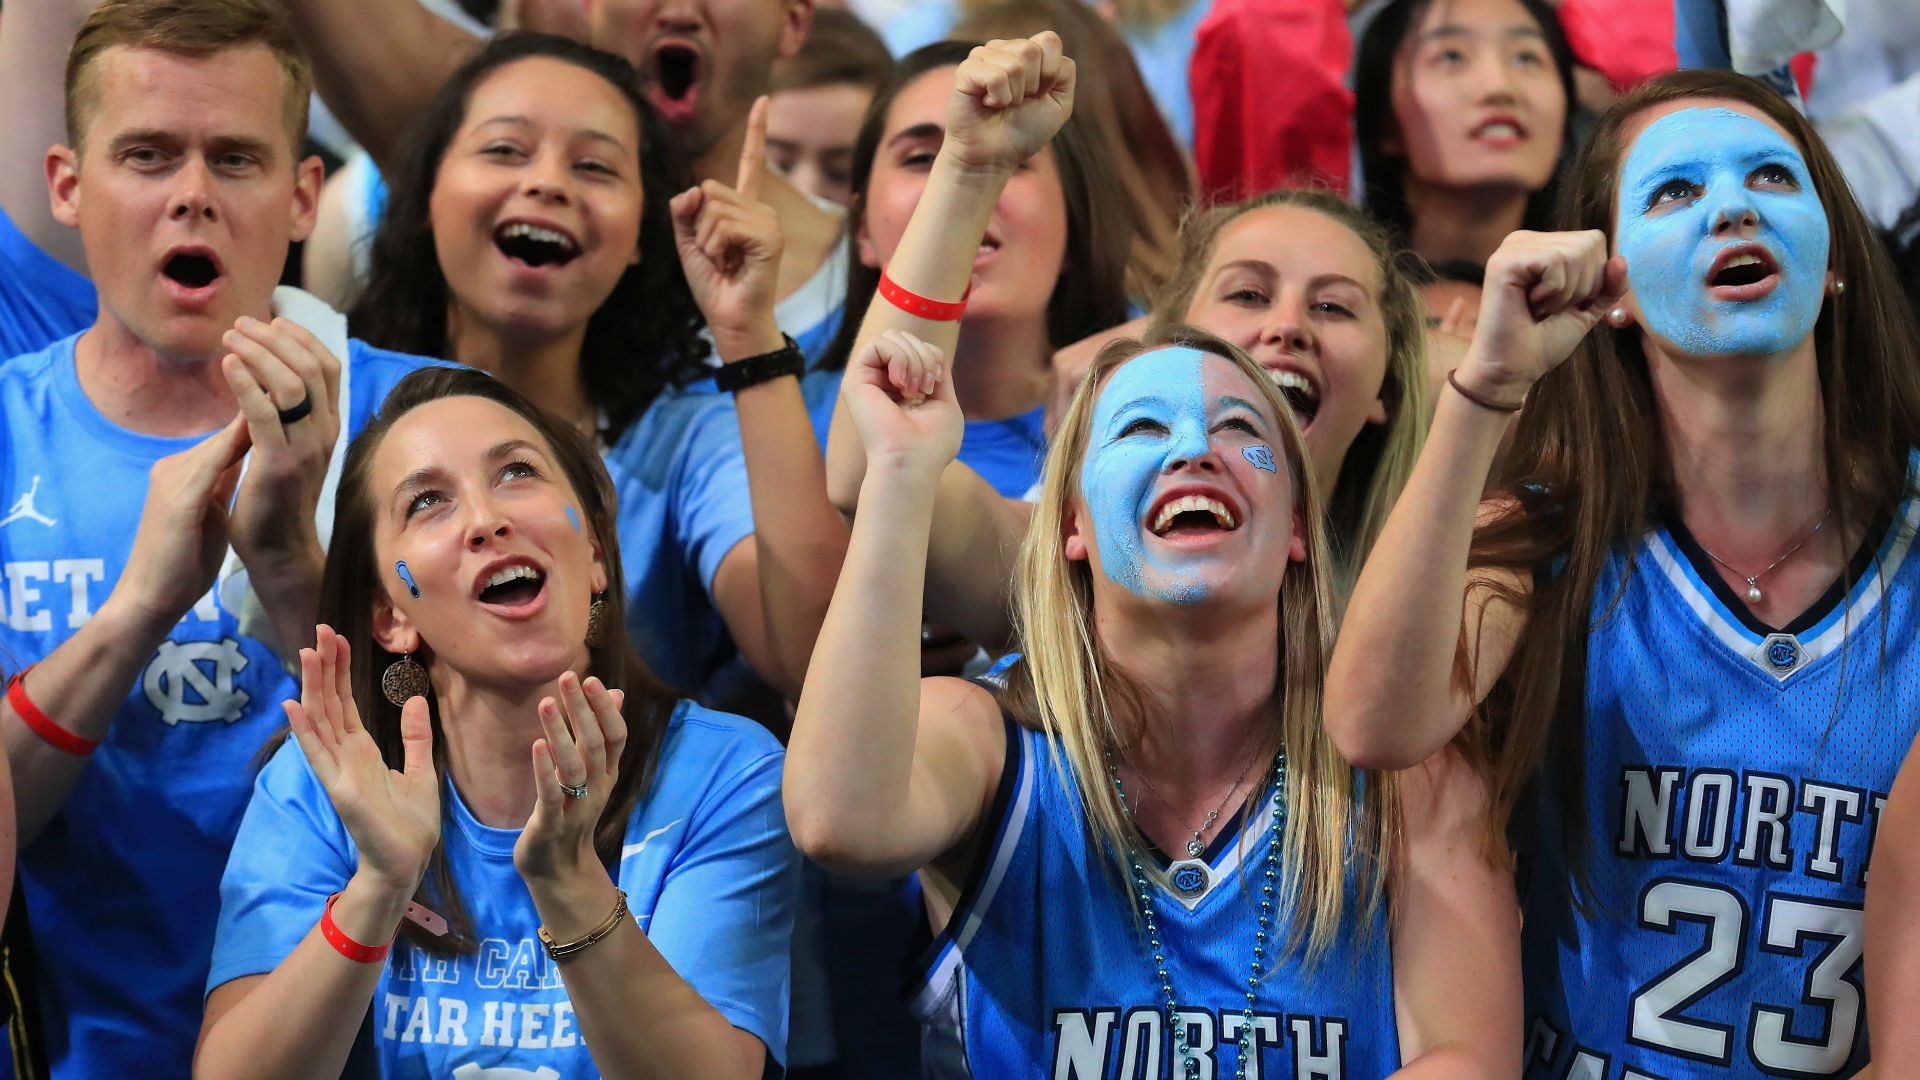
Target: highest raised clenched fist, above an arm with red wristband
1011,99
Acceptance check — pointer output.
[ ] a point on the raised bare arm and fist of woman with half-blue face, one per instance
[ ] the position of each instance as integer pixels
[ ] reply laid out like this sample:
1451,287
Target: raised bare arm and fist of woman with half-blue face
888,772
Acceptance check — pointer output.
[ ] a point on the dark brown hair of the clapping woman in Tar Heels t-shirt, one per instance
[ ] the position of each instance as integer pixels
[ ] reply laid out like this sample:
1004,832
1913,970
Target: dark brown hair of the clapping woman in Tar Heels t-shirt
354,583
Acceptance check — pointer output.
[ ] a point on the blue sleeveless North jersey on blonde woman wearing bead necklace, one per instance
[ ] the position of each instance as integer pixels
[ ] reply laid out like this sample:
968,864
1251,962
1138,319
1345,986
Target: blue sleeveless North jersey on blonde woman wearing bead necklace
1045,970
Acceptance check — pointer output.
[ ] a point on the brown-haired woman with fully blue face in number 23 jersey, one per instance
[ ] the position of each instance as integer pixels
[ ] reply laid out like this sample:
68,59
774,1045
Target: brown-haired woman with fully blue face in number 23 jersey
1681,631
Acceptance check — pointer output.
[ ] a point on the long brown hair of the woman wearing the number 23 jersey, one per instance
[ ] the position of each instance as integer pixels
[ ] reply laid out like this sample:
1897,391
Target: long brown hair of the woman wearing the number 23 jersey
1589,468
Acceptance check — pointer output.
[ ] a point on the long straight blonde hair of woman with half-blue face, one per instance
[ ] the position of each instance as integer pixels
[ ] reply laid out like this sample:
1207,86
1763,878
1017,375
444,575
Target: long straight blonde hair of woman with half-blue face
1070,689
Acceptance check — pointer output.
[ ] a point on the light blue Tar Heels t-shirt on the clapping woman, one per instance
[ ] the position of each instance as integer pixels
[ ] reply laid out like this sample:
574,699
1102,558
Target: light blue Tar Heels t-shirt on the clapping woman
708,870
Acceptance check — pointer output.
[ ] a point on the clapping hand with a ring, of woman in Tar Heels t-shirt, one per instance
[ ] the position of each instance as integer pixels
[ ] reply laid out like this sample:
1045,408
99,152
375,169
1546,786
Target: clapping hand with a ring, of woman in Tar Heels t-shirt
575,770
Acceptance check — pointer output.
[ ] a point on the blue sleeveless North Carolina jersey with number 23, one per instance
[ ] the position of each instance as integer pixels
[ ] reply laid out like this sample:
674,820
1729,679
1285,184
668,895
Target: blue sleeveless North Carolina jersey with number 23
1735,781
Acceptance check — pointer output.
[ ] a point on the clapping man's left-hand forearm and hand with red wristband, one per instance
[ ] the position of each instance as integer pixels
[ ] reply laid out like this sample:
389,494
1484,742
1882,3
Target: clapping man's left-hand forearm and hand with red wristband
76,691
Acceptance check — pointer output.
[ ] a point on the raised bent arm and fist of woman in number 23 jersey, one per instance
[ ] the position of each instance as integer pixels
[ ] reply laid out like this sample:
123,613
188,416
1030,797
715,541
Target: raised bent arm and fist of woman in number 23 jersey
1393,699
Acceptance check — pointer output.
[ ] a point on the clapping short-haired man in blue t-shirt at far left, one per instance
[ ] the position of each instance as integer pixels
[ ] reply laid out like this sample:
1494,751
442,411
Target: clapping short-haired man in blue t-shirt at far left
133,735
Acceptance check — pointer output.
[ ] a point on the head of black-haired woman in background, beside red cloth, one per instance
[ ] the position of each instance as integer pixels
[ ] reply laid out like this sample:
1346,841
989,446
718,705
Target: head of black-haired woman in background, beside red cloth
1462,114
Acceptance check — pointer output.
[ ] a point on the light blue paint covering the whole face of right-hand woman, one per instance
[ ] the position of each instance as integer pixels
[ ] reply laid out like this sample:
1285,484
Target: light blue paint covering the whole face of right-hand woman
1687,174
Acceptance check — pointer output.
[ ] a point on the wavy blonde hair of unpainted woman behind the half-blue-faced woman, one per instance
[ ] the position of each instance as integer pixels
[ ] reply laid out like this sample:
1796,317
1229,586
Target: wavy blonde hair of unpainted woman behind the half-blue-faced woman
1381,456
